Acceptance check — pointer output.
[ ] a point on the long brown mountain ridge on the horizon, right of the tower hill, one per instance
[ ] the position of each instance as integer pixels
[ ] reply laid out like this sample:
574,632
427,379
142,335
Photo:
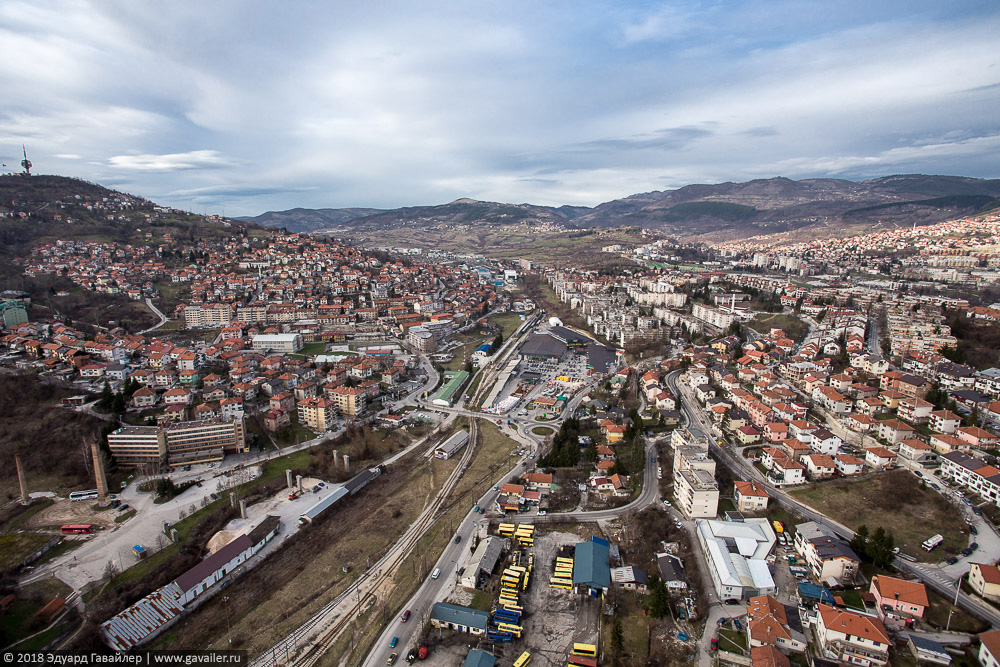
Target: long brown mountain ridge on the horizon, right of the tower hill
760,206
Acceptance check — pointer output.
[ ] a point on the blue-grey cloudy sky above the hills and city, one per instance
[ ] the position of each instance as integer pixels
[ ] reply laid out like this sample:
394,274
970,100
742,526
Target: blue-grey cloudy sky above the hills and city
243,107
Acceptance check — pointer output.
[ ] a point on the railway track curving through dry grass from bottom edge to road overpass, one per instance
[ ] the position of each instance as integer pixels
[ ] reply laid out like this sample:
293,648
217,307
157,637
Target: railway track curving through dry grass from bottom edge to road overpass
367,587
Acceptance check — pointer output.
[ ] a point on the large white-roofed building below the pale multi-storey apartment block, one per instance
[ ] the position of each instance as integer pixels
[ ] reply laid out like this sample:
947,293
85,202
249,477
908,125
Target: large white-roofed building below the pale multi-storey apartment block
736,553
